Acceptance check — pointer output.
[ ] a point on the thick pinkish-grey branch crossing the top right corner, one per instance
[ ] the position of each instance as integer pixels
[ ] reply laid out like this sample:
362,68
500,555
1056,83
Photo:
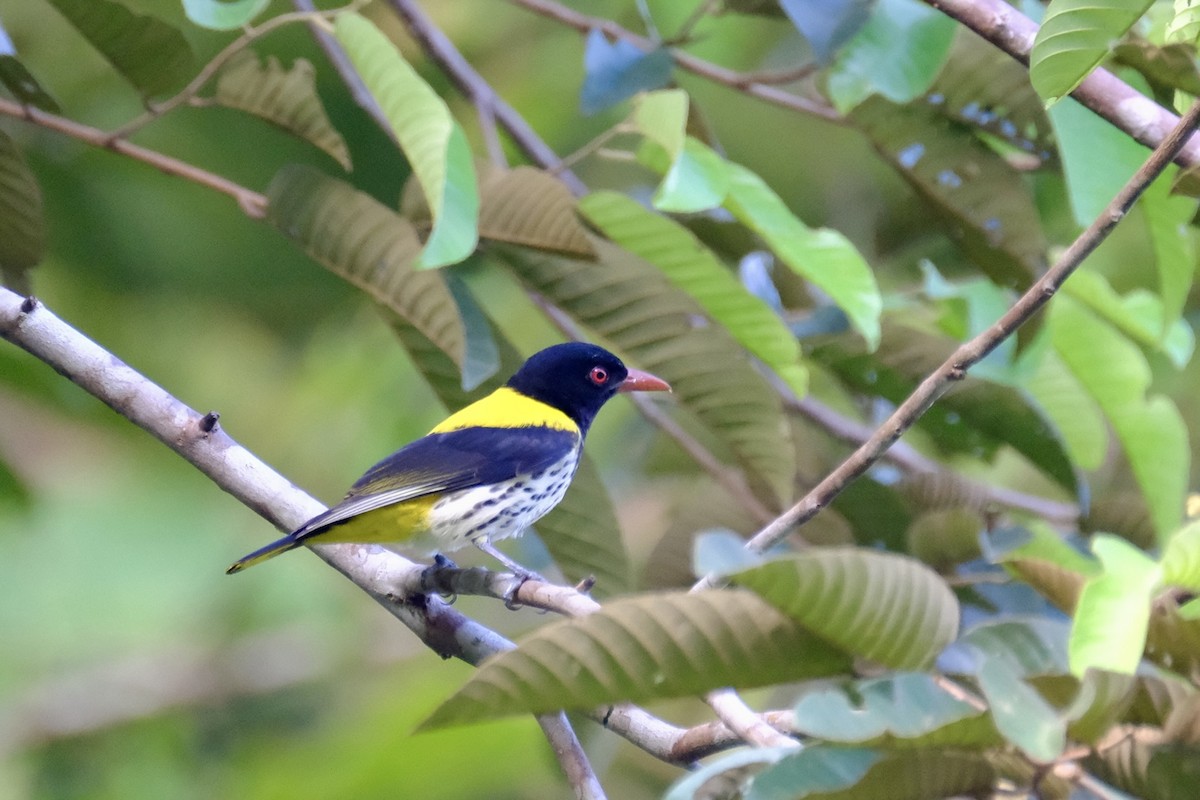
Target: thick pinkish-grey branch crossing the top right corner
1102,92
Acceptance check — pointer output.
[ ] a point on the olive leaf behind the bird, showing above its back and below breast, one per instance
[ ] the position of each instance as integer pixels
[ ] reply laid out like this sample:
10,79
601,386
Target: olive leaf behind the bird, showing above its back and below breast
581,533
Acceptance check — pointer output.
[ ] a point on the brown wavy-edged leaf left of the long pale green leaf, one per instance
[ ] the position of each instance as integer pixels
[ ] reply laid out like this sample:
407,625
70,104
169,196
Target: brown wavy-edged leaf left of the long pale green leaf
286,98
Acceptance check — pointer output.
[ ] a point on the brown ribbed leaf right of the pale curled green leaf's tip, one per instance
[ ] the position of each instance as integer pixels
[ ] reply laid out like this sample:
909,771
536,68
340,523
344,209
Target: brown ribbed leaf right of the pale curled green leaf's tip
529,207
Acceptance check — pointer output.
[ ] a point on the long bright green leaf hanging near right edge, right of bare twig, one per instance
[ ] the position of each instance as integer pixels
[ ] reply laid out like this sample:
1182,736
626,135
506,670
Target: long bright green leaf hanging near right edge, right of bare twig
1151,431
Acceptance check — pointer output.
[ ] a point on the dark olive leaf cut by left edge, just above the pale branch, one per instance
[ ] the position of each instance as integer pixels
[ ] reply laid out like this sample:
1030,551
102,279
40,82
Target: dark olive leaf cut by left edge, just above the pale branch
22,225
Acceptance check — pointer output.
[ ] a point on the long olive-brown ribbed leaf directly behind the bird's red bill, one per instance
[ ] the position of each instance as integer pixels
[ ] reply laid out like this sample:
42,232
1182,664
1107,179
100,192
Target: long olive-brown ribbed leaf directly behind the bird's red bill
631,304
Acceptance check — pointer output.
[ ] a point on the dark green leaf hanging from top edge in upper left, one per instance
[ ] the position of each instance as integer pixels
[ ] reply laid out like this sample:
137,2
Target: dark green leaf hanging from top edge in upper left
147,52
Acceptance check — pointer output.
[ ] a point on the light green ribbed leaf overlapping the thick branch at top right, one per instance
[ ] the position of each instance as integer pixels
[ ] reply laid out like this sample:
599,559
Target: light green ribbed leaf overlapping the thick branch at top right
1075,38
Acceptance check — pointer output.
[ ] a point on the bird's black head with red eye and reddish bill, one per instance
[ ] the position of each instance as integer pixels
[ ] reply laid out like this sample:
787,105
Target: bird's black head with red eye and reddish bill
578,380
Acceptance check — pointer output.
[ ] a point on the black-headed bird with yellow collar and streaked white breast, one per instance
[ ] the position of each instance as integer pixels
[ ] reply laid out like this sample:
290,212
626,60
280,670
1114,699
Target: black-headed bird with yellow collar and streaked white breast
488,472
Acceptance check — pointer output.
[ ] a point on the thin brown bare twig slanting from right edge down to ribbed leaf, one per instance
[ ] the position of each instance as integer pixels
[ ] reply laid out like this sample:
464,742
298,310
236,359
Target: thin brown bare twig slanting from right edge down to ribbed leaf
970,353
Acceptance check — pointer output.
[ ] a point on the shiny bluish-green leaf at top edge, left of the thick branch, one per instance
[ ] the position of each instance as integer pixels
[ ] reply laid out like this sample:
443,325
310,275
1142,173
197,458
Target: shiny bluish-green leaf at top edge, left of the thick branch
897,55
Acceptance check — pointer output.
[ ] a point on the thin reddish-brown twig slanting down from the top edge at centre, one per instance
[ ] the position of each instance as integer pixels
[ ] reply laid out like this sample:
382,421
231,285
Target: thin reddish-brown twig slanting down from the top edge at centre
701,68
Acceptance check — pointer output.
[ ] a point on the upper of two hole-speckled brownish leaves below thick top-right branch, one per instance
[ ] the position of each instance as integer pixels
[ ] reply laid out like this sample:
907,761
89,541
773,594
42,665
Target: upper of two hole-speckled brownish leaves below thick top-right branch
985,88
